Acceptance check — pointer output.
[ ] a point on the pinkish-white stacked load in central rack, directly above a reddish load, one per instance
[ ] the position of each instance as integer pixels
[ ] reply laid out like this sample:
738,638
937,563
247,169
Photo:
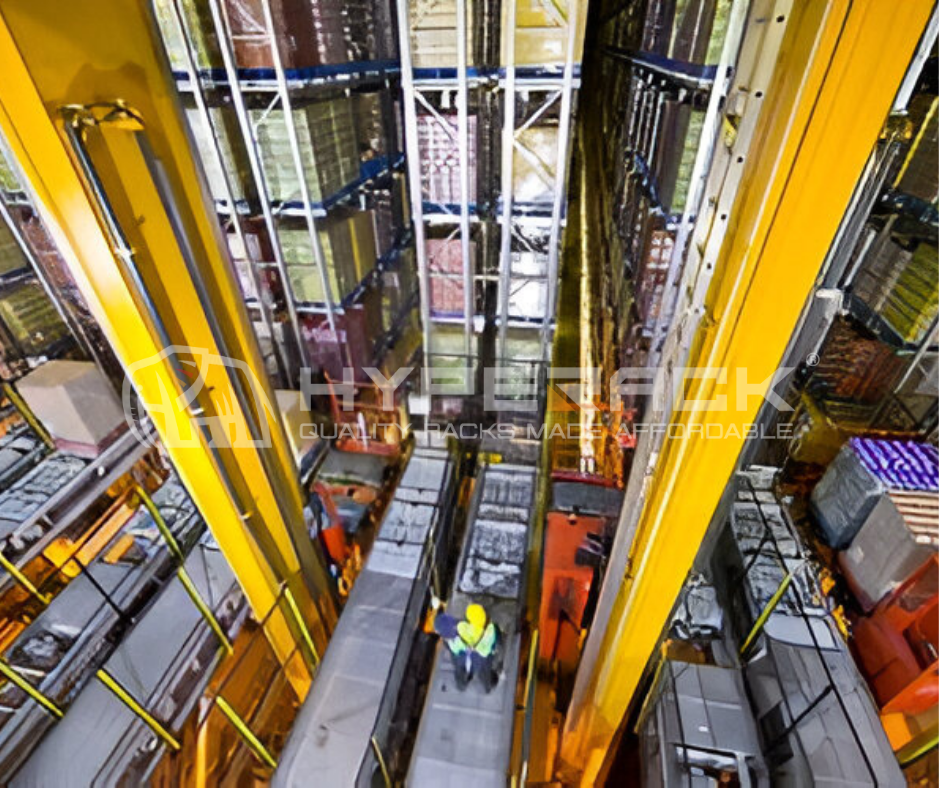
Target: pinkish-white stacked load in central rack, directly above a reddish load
437,146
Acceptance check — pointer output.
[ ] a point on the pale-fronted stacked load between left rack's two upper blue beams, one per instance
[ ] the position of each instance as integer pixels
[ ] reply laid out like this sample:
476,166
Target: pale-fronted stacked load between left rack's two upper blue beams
328,148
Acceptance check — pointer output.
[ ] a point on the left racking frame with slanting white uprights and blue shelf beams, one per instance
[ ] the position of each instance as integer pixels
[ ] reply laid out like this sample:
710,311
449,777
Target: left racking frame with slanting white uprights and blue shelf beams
285,89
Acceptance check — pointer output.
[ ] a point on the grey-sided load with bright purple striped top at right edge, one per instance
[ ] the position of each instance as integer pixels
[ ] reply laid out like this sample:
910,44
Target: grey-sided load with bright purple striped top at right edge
864,470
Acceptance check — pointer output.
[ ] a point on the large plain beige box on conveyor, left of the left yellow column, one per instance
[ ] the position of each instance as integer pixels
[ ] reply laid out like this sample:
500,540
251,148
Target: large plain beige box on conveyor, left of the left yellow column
74,401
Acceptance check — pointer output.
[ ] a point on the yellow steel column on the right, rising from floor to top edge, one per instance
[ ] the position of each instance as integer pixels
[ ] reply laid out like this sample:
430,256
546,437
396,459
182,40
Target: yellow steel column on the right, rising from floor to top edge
839,67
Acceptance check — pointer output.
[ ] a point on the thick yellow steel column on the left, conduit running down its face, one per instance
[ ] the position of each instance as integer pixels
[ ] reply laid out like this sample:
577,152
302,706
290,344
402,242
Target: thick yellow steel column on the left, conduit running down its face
174,287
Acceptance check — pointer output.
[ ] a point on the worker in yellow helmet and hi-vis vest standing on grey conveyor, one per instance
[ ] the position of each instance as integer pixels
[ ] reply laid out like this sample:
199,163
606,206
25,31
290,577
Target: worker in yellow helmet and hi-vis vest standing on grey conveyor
473,645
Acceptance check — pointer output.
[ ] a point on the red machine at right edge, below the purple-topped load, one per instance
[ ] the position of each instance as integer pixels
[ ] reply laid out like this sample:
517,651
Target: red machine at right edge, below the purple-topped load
896,646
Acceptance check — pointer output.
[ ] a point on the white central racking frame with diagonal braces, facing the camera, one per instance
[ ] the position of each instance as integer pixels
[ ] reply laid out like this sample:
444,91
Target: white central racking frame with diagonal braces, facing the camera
487,278
